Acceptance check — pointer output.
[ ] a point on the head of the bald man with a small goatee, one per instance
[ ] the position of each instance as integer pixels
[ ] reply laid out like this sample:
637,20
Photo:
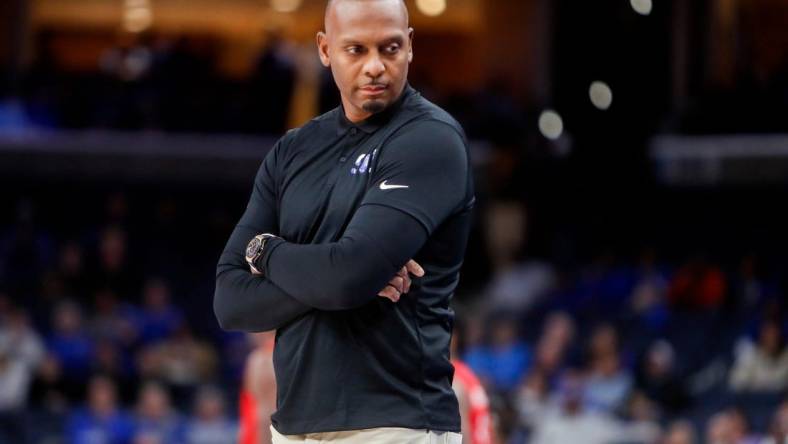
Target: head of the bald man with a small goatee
368,46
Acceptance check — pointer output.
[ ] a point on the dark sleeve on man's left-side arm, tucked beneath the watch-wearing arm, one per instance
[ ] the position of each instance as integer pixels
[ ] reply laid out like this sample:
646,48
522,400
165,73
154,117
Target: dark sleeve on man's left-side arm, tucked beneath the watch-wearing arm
243,301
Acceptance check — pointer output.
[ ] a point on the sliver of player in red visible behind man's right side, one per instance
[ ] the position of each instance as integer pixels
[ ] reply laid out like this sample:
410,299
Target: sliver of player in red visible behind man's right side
476,421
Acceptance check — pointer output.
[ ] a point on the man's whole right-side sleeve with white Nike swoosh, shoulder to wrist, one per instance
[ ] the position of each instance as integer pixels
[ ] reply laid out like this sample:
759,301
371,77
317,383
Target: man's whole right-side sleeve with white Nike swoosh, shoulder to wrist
421,179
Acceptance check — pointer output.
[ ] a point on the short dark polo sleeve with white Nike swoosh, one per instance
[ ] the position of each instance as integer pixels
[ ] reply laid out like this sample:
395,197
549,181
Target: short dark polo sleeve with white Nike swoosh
423,172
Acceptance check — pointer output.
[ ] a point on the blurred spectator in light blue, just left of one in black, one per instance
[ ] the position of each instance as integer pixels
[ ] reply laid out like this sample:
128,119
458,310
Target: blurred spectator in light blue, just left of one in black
607,382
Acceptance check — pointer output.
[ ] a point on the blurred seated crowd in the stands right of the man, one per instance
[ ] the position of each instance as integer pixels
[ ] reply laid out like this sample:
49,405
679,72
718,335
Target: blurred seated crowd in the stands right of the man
628,351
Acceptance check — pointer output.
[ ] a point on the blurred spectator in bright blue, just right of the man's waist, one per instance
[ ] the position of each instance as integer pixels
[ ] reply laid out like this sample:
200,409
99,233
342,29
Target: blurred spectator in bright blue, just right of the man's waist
504,361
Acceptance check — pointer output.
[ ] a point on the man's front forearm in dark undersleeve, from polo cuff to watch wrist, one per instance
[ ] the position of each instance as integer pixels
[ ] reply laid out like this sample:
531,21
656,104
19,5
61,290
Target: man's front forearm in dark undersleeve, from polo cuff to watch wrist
350,272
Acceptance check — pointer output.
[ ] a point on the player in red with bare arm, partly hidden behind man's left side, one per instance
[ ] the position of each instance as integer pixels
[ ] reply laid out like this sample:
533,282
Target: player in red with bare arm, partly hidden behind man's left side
257,400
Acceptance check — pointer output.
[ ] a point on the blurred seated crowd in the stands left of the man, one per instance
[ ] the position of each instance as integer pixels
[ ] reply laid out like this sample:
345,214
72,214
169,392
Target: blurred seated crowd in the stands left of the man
90,352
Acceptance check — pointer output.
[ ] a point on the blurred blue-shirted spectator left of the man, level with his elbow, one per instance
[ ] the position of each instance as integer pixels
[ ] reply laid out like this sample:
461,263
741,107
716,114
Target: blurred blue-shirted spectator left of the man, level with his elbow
159,318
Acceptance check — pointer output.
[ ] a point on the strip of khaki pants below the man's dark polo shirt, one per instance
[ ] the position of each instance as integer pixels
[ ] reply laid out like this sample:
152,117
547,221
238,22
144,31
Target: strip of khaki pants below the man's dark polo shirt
380,435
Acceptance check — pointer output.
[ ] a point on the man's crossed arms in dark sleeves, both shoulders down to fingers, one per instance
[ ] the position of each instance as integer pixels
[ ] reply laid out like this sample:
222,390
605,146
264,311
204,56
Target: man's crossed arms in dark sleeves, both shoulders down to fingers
388,229
